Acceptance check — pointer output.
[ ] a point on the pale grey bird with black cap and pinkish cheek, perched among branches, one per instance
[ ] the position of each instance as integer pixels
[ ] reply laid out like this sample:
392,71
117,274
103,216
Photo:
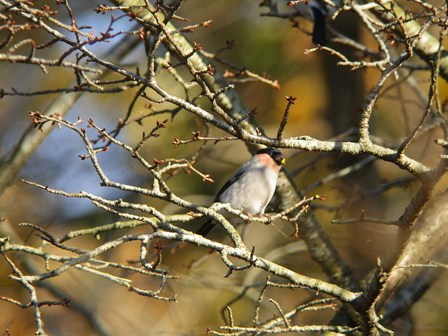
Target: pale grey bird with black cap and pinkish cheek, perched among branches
251,187
